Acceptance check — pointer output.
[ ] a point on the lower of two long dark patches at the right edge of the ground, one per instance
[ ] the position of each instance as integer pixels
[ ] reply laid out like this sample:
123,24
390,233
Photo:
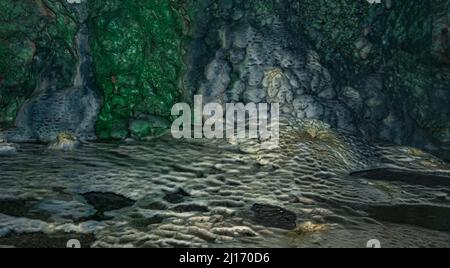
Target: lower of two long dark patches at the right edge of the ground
427,216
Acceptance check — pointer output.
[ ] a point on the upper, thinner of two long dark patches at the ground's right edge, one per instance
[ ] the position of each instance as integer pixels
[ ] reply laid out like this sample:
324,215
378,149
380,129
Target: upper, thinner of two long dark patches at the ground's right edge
409,176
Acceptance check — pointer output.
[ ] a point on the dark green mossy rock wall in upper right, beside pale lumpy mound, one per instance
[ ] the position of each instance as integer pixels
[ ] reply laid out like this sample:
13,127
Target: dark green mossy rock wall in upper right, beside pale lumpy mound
404,41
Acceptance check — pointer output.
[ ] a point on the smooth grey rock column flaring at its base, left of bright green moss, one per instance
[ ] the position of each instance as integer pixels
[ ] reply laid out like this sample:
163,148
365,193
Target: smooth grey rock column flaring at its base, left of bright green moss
52,110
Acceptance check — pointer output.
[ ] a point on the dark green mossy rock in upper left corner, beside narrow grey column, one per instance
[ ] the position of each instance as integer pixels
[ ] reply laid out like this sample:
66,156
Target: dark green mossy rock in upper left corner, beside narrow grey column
33,33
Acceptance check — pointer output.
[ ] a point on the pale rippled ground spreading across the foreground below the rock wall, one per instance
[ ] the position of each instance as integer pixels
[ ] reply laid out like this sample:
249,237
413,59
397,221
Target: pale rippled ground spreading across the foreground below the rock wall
218,193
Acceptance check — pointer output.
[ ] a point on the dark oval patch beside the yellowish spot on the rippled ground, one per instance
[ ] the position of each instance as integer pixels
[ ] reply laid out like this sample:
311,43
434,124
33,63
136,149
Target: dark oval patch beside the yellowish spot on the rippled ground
273,216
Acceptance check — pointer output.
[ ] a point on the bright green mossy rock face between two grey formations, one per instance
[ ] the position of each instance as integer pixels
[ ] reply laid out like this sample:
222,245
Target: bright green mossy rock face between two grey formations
137,49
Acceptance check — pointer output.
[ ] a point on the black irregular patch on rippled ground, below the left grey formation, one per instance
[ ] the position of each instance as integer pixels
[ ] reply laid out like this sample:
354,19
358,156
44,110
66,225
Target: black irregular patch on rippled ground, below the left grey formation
104,202
